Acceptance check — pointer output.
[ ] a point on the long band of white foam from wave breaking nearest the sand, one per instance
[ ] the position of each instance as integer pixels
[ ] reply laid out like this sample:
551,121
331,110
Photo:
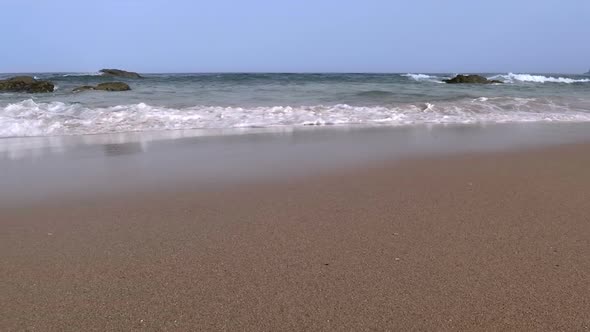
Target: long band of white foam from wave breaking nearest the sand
30,118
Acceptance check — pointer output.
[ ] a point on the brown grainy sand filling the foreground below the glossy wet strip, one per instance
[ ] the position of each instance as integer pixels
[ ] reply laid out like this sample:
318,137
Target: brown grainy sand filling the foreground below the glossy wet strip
477,241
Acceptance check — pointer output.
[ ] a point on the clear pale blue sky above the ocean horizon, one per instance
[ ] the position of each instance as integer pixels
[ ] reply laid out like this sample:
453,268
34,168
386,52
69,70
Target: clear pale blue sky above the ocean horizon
296,35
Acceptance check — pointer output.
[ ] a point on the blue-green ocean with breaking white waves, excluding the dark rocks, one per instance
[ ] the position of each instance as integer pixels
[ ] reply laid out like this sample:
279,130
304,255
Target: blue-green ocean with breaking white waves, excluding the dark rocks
163,102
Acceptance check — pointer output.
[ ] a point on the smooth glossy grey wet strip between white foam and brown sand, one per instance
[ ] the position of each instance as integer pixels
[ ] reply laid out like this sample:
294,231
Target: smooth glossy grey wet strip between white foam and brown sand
106,165
